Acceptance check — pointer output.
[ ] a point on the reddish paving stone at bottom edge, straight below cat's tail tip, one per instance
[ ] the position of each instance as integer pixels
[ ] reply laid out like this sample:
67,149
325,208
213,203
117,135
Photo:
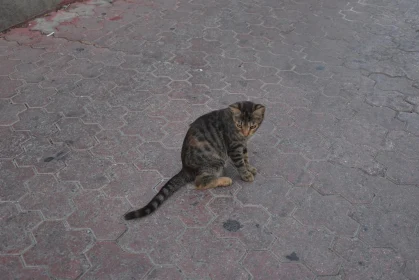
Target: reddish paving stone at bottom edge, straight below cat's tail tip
110,262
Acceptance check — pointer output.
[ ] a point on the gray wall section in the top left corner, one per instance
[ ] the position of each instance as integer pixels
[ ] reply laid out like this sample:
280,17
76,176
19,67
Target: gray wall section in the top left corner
13,12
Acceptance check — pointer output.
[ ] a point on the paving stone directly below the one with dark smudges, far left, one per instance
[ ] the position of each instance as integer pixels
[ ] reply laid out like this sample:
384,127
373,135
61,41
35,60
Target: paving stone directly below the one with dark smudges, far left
49,196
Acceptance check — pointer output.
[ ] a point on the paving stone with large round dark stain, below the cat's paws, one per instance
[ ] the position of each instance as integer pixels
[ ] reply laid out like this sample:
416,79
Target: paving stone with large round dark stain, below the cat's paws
245,223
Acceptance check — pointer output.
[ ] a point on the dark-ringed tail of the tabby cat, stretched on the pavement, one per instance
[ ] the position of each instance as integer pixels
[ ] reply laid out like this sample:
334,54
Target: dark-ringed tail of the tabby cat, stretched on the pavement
175,183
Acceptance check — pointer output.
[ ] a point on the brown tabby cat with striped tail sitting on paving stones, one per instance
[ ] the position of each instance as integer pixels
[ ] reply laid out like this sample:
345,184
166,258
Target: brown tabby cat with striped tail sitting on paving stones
209,142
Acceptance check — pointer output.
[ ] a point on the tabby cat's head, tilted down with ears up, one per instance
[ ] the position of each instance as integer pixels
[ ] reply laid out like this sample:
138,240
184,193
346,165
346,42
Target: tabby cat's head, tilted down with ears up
247,116
